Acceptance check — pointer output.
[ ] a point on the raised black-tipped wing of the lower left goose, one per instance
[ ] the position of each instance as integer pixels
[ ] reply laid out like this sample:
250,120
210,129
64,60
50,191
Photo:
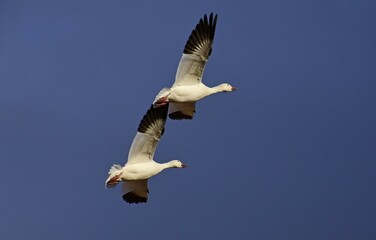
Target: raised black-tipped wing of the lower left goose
149,132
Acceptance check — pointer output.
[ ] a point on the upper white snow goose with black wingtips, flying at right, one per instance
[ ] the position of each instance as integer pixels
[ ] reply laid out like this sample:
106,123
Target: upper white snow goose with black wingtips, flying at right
188,87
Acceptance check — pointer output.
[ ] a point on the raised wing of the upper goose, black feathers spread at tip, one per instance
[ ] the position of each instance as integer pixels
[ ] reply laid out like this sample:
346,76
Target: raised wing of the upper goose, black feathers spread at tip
196,52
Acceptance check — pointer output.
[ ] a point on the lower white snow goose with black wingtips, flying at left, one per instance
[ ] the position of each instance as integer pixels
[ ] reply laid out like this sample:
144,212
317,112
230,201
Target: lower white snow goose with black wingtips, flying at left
140,165
